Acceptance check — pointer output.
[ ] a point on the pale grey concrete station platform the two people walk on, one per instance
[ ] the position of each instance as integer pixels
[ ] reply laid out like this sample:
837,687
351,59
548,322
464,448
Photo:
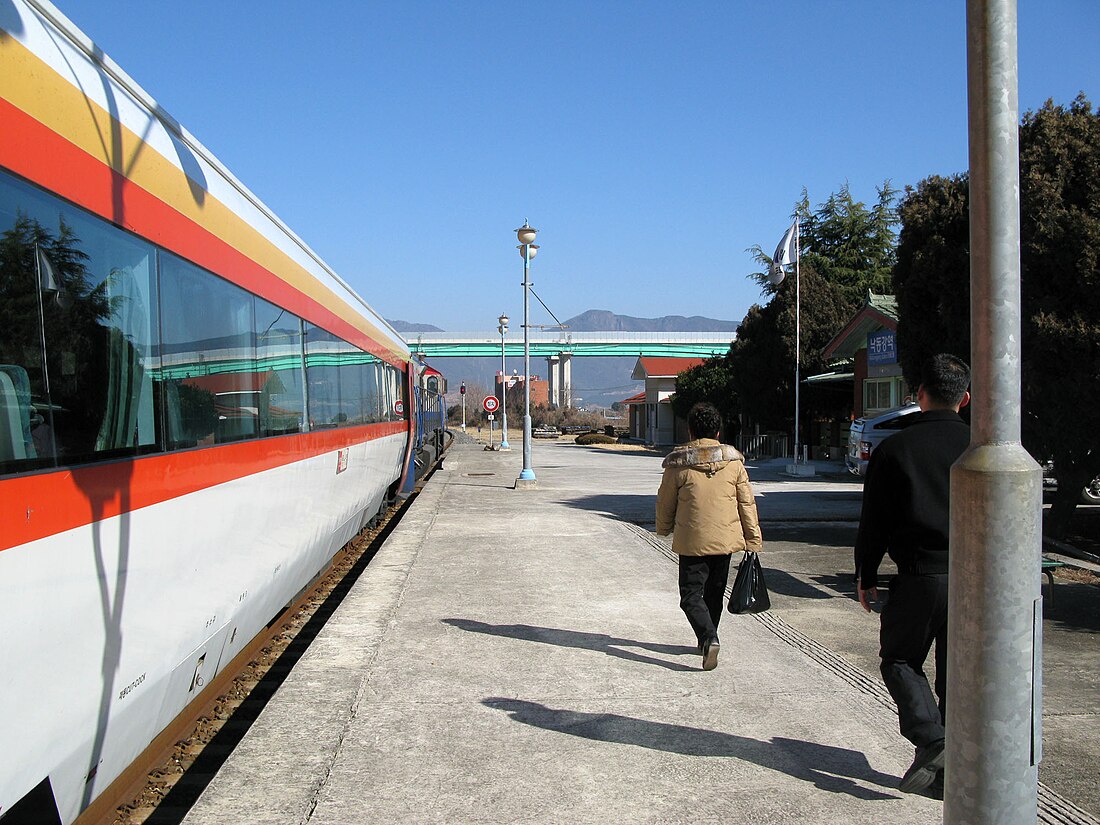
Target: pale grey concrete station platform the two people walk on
520,656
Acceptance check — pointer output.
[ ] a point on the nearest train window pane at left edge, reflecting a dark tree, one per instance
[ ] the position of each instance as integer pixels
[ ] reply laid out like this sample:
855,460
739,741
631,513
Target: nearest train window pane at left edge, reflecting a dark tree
78,335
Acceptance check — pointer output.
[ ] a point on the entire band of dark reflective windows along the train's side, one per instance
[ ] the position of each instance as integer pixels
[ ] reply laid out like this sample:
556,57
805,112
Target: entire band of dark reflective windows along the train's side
113,348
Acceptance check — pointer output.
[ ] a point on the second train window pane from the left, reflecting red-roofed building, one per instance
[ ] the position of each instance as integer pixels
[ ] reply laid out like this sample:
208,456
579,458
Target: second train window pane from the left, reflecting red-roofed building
210,373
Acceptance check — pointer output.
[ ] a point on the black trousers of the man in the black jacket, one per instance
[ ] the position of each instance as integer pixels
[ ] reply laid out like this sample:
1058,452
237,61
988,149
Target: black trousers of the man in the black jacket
914,619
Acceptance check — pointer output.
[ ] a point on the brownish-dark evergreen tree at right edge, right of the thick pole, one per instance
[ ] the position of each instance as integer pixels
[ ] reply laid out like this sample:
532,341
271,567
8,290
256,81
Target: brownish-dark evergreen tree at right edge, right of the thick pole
1060,216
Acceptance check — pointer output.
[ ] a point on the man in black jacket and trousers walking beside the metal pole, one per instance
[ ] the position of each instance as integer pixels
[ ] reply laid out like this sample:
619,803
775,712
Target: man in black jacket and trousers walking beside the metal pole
907,514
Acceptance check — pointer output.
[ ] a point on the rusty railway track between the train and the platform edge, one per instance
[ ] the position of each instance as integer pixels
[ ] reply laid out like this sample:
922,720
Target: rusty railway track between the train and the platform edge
163,784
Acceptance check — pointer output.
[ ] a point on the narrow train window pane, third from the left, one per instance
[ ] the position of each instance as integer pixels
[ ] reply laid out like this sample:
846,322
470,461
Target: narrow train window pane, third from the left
281,400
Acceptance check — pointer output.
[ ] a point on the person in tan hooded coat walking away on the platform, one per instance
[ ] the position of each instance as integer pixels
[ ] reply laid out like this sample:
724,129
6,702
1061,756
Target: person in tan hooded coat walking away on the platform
706,501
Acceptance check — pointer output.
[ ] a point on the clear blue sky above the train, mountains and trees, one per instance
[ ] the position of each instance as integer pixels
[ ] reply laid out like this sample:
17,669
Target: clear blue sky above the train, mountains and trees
652,144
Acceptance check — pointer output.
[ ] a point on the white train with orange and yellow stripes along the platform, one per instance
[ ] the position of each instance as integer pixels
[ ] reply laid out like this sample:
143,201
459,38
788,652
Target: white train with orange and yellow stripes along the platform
196,415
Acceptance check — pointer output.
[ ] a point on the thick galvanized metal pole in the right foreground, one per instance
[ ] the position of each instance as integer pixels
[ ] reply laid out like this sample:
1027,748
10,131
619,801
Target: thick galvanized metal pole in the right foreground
996,611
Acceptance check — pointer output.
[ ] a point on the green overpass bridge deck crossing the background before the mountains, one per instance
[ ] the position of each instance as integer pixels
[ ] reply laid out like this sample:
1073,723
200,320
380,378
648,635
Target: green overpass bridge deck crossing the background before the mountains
549,344
